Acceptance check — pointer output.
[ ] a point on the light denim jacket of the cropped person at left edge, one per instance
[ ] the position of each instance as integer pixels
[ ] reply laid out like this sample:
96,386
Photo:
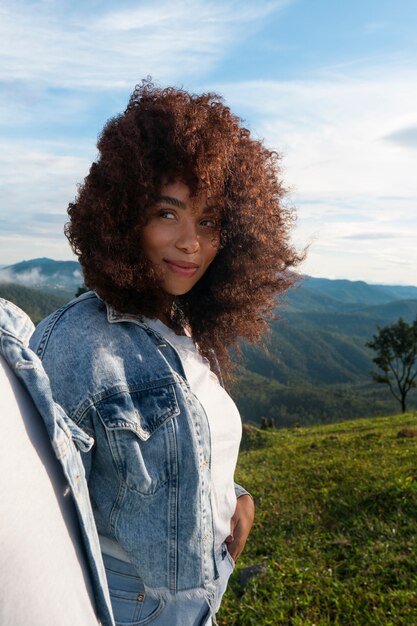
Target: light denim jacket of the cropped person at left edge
66,440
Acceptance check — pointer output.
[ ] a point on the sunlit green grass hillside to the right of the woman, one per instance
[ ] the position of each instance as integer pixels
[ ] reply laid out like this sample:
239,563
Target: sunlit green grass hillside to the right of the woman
336,526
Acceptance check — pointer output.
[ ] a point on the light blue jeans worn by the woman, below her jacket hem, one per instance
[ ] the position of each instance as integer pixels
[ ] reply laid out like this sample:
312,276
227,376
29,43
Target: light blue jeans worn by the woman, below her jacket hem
133,607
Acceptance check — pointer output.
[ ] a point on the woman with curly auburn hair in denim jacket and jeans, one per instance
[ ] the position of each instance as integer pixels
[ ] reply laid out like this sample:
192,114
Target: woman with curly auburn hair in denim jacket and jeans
182,234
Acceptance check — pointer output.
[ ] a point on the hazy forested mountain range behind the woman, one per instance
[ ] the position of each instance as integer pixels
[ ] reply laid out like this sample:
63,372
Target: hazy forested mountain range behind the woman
314,366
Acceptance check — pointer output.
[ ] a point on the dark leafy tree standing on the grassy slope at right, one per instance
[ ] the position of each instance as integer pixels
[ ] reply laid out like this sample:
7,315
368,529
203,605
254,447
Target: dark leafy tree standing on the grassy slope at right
396,356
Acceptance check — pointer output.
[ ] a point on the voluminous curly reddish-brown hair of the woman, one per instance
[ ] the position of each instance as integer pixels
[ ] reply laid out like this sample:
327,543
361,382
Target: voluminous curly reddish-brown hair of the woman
166,135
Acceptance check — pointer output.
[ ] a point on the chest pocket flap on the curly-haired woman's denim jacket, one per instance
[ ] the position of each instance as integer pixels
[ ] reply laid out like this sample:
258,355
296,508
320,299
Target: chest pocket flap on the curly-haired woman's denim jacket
142,411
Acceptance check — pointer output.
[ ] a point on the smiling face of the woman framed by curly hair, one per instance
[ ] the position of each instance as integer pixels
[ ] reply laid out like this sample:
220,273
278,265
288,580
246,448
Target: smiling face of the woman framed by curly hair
181,237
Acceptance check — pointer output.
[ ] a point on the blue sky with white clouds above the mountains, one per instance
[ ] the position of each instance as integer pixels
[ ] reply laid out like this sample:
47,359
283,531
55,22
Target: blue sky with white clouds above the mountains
332,86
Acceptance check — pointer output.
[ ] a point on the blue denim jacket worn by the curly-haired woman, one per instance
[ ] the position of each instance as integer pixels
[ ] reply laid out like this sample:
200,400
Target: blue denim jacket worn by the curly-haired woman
149,472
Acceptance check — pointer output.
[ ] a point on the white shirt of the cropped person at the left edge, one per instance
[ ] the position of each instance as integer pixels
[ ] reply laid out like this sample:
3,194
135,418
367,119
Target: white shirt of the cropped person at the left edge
44,577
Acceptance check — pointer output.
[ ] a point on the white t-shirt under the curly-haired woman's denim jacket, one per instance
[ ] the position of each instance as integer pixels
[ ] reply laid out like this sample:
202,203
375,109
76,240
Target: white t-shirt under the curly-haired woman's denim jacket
225,426
